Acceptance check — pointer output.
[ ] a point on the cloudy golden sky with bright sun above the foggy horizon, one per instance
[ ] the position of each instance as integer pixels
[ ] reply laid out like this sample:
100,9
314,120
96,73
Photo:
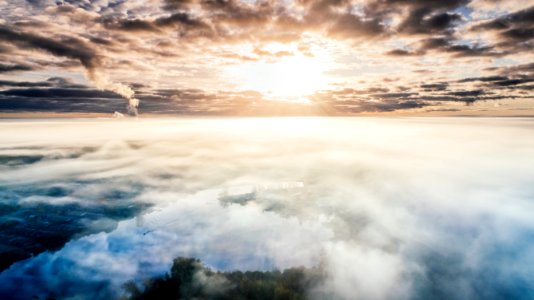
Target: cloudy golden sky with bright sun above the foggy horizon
246,57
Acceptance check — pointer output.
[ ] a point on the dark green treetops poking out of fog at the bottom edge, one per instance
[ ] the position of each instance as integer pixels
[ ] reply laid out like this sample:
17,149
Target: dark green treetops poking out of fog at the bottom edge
189,279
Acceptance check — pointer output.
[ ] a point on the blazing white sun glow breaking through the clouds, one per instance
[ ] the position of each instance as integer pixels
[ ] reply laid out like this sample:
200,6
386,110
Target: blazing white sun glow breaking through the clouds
289,78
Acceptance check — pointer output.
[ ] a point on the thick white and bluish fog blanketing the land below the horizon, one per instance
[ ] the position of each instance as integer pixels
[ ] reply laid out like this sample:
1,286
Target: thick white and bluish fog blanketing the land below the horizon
391,208
